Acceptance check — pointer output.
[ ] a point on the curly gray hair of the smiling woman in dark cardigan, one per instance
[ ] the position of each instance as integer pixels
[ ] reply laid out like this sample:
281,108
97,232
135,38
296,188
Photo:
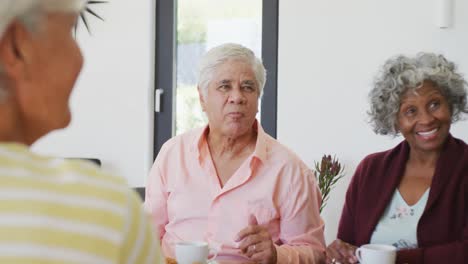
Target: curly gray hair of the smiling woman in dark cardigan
401,73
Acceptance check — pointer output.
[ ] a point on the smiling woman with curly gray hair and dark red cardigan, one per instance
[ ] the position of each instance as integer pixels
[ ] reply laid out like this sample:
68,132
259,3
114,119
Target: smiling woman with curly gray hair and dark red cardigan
414,196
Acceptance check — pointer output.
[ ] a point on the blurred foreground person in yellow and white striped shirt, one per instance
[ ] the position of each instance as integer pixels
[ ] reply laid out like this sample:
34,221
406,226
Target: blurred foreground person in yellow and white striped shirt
51,210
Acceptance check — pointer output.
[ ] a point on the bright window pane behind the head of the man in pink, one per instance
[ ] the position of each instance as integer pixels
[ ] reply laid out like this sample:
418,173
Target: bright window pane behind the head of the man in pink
201,25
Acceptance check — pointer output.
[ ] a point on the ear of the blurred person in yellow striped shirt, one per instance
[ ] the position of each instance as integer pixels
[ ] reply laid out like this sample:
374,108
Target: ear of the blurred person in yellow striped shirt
15,46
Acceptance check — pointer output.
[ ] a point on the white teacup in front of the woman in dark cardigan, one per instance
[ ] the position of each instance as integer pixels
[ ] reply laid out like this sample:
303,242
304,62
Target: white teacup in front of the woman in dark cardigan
376,254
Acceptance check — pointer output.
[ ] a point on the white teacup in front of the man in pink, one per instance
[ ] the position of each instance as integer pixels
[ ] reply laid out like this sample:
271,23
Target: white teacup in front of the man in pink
194,252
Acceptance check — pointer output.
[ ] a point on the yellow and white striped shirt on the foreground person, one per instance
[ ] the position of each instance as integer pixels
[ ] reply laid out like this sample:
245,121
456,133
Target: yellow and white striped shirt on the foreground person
61,211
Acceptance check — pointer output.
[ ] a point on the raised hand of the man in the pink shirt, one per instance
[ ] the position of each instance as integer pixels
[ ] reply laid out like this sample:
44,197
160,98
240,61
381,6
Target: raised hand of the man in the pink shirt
256,243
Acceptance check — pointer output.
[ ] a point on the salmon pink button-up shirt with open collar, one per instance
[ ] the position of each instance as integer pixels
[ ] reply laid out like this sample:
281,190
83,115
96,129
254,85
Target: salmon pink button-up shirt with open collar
187,202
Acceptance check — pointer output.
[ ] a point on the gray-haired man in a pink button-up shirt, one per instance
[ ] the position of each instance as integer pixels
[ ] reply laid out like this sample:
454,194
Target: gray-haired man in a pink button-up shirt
229,183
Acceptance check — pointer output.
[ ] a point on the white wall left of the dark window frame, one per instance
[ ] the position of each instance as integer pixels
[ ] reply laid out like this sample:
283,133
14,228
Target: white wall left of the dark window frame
112,100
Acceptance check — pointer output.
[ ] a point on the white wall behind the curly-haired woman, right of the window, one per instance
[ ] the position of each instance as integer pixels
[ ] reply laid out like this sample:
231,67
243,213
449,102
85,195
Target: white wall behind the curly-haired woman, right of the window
329,51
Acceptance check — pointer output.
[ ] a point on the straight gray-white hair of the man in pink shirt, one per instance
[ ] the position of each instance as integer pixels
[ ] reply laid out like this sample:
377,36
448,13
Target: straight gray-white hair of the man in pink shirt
216,56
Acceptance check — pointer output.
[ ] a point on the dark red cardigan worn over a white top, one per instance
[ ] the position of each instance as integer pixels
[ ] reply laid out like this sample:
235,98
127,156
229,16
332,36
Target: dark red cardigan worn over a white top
443,228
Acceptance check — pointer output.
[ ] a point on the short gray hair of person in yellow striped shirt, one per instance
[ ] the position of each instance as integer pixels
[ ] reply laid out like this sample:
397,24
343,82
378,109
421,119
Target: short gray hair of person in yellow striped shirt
29,13
